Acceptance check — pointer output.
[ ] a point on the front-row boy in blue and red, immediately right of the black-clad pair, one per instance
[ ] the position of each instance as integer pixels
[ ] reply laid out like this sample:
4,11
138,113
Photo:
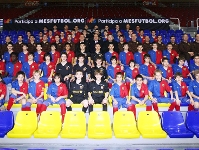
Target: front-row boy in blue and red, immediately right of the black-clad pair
119,94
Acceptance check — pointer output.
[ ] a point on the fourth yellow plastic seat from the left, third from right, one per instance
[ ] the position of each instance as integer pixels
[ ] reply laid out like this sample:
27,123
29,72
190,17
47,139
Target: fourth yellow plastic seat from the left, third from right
99,125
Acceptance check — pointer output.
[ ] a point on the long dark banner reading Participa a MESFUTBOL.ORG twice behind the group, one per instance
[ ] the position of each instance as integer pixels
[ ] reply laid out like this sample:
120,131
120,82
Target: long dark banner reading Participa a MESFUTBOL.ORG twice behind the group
38,24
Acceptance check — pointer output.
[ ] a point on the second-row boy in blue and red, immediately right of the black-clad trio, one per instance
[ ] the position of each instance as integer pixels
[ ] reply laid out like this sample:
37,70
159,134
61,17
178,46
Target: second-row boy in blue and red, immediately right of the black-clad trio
112,70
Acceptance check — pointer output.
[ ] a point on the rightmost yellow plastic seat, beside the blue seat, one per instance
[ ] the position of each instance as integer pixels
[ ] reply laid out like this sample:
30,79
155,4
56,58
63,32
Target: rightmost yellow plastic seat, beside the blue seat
149,125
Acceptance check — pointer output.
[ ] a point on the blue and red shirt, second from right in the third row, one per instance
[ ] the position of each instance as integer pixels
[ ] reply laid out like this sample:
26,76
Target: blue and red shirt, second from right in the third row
156,56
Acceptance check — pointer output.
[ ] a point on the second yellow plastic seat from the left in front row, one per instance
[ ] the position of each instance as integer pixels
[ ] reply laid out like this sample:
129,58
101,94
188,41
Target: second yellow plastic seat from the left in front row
49,125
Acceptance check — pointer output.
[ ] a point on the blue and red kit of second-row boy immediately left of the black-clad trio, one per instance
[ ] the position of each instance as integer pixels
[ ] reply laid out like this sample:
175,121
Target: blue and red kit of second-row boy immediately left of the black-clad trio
46,69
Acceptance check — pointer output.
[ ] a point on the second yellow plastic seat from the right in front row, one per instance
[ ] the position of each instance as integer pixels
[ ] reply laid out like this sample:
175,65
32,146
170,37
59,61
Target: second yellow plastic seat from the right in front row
124,125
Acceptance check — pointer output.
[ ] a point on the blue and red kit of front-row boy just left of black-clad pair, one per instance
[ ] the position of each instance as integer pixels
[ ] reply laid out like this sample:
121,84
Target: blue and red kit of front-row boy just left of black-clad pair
56,91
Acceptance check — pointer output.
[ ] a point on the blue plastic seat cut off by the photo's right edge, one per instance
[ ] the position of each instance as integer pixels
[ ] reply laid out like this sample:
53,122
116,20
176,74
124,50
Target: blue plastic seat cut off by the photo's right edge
192,122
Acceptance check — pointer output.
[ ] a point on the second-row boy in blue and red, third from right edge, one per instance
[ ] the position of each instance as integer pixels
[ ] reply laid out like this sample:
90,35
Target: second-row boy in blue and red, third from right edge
167,71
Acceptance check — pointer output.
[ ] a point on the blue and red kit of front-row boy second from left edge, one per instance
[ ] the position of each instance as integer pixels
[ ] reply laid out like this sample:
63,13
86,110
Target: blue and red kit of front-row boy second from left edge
23,88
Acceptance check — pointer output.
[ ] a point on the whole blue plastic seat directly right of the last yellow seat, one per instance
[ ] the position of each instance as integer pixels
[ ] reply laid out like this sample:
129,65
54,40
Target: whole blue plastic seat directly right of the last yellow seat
173,124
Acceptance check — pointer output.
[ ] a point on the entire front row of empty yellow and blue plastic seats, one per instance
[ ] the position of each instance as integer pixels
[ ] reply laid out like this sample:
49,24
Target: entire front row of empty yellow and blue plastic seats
99,125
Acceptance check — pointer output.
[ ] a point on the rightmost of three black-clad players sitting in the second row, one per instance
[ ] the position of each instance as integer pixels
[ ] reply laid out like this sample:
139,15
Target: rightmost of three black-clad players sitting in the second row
99,66
